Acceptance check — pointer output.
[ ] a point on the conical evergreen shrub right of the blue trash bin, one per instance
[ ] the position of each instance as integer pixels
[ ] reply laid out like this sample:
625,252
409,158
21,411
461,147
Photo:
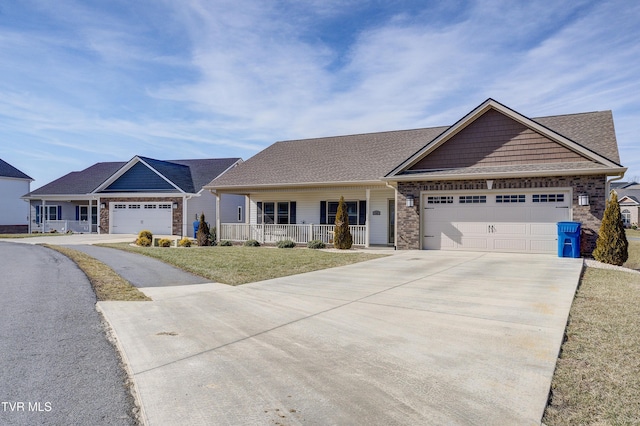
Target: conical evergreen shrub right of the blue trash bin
612,245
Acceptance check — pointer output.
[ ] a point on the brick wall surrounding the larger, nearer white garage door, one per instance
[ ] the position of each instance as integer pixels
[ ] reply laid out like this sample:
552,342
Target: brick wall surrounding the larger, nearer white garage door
590,216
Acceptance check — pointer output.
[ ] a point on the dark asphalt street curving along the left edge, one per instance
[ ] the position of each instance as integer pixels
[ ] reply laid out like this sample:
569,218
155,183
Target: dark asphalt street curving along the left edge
56,363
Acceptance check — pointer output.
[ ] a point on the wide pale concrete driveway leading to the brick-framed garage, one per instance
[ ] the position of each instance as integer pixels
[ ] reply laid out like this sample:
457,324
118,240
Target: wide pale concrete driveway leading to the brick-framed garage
415,338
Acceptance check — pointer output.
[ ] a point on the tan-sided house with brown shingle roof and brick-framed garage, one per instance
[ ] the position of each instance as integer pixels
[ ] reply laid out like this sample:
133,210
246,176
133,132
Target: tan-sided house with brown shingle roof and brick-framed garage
495,180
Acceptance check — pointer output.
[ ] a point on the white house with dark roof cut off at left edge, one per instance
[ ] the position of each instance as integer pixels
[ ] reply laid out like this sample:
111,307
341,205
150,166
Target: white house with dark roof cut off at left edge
14,212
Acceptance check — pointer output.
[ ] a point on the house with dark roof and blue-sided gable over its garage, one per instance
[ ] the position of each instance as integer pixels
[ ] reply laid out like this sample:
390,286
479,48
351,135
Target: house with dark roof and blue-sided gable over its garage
164,197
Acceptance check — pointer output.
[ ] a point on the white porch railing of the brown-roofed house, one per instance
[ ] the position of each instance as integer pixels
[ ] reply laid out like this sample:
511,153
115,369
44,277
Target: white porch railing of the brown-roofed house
300,234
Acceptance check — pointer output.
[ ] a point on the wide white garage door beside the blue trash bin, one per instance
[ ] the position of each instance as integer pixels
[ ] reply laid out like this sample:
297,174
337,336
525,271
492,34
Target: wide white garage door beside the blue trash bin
504,222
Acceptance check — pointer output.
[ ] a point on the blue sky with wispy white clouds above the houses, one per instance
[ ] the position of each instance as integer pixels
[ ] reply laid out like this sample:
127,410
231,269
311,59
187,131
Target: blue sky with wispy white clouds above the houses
89,81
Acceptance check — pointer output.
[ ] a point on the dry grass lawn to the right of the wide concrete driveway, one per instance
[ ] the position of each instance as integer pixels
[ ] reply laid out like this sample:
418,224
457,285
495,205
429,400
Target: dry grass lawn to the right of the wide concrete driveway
597,378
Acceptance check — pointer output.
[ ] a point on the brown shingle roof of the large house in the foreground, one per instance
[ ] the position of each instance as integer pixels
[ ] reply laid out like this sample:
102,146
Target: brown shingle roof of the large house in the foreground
368,157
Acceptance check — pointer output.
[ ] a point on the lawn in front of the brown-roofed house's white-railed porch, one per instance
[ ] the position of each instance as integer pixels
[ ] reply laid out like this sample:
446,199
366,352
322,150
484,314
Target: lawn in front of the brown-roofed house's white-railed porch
240,265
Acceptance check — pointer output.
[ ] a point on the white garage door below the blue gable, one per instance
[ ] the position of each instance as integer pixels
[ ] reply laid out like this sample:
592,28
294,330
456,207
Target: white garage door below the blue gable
131,218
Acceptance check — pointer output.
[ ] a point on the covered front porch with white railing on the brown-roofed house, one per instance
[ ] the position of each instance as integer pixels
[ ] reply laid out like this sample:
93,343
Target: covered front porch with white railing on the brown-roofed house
307,214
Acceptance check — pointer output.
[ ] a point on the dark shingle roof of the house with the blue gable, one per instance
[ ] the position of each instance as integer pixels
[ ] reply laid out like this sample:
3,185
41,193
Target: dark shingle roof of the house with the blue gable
189,175
